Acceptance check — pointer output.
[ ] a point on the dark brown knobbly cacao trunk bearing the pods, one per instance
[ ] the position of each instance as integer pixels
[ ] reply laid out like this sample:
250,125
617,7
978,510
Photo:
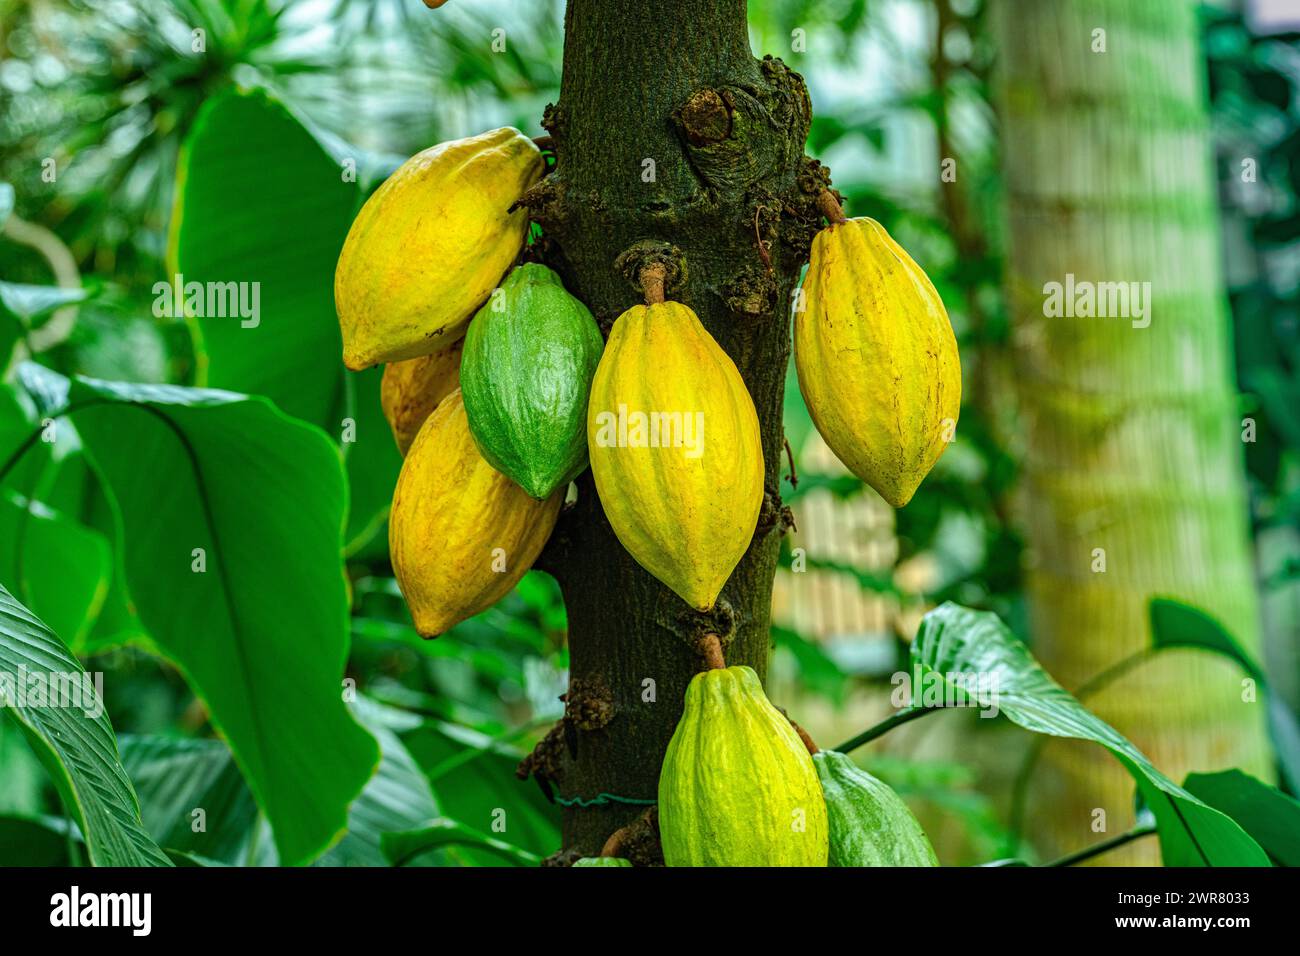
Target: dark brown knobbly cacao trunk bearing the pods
673,144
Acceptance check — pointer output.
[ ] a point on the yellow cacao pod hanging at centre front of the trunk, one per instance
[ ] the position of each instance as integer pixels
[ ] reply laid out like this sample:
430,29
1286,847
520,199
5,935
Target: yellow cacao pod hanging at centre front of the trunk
675,449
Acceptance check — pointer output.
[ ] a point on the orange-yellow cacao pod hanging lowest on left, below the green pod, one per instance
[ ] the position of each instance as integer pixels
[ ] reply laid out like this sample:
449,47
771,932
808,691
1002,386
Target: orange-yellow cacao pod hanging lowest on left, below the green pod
461,534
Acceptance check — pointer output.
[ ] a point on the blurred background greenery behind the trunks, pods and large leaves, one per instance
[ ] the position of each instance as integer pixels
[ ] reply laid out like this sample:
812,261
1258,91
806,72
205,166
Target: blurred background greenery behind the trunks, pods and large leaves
106,93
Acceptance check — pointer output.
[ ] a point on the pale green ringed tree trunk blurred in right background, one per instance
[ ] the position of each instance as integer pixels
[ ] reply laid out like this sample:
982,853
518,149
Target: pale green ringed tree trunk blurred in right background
1133,434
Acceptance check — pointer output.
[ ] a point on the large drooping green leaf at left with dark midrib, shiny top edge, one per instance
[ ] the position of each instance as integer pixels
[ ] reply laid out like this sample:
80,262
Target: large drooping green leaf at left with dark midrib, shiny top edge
259,628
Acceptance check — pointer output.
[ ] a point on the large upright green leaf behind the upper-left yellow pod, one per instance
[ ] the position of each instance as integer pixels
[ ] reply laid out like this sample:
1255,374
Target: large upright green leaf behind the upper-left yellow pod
262,200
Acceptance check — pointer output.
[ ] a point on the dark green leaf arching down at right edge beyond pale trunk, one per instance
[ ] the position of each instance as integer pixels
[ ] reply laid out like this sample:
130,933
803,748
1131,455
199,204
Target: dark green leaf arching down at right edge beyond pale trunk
1176,625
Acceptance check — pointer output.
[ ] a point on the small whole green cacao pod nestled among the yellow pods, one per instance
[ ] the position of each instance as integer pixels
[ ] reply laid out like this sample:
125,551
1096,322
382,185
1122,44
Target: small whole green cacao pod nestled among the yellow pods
530,357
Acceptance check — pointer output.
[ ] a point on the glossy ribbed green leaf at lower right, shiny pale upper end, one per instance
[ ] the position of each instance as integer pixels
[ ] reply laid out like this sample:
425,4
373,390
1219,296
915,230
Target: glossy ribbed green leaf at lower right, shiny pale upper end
955,642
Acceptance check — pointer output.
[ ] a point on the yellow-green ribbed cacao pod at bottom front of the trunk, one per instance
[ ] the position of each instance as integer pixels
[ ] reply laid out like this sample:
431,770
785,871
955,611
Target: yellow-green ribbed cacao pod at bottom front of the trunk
738,786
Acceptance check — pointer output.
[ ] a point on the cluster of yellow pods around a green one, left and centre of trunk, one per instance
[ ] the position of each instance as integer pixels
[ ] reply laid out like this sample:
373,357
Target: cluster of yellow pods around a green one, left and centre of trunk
501,390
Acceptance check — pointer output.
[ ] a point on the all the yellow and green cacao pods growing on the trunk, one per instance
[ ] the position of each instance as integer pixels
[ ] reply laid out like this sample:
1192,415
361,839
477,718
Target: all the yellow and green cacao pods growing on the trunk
501,391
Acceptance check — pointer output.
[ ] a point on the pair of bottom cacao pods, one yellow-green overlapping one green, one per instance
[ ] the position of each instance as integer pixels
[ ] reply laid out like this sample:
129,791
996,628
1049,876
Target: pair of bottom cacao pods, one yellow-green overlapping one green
739,788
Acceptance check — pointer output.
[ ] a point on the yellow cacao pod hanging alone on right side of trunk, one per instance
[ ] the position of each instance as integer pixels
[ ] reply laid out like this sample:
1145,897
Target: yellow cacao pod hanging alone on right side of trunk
877,358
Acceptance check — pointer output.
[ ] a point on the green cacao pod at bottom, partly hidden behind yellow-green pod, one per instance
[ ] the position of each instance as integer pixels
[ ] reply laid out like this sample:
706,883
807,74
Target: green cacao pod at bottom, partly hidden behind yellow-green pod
870,824
